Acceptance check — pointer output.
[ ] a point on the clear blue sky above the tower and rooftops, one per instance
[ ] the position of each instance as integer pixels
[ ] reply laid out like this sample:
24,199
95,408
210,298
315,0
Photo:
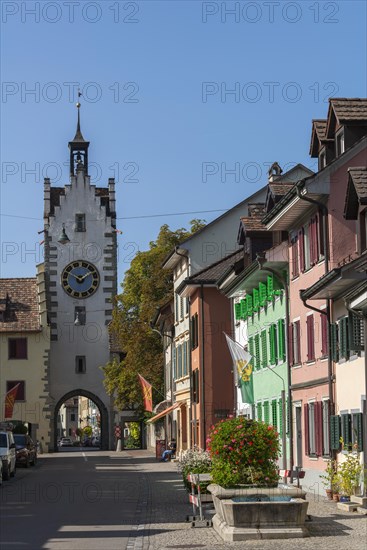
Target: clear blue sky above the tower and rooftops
157,106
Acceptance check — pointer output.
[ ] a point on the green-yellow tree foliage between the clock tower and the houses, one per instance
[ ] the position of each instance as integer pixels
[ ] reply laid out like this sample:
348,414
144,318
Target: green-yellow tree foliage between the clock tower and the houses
145,288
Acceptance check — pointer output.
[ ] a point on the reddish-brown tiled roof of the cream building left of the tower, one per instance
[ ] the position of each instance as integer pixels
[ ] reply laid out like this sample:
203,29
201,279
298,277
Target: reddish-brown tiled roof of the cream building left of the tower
19,305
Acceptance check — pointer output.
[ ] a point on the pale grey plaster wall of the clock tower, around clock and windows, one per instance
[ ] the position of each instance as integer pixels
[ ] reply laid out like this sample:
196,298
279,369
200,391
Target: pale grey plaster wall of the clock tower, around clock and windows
96,245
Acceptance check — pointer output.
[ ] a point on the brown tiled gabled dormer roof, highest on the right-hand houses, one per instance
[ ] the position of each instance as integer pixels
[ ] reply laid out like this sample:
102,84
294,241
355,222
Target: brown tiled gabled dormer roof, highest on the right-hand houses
344,110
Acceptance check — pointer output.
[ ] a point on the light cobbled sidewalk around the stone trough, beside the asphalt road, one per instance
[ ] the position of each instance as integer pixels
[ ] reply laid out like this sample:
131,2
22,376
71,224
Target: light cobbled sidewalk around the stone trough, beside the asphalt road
163,508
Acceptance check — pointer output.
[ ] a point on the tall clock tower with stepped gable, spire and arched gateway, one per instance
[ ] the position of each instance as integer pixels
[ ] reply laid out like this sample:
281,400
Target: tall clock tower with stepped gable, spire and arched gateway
80,282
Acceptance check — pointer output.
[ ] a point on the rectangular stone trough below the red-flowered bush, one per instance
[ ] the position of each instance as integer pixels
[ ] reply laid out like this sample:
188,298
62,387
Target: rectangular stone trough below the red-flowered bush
259,513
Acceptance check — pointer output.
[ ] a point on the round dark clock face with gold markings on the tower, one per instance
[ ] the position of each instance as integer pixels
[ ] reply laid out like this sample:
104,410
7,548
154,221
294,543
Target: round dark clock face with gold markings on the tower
80,279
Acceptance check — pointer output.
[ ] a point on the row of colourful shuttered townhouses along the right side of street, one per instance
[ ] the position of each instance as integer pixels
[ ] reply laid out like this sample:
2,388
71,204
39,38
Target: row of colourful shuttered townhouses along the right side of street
283,273
